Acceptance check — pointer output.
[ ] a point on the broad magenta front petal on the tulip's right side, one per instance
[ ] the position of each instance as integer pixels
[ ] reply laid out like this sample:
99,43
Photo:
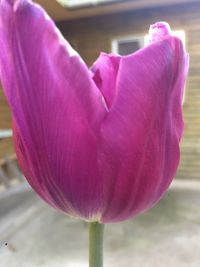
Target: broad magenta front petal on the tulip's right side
141,134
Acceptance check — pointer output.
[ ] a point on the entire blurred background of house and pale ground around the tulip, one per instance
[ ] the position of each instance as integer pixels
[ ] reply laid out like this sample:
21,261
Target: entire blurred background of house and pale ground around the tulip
167,235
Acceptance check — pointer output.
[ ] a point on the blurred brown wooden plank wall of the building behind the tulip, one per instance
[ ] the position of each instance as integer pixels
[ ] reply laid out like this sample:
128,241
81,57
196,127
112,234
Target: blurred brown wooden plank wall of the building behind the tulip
90,36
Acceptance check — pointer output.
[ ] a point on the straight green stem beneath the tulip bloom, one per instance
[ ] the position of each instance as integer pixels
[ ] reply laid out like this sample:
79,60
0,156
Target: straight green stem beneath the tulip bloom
96,244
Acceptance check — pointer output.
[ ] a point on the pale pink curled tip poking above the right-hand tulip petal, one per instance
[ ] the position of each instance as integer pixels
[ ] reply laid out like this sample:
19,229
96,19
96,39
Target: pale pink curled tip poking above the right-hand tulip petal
158,31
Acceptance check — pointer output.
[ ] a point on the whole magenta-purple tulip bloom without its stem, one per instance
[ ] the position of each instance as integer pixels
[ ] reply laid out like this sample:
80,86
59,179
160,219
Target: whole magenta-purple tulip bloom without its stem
101,144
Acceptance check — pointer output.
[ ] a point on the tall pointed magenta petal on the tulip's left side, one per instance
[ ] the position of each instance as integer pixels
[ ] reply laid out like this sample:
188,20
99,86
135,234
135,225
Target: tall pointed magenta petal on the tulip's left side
57,109
